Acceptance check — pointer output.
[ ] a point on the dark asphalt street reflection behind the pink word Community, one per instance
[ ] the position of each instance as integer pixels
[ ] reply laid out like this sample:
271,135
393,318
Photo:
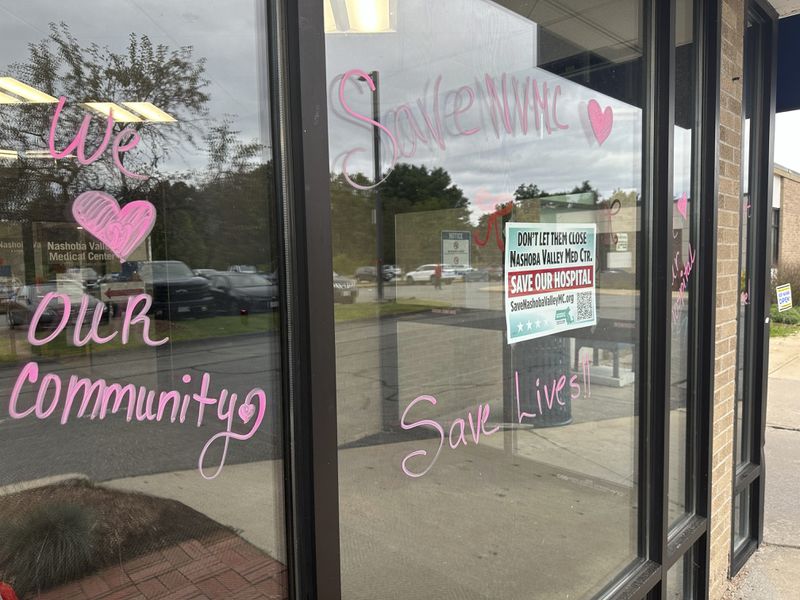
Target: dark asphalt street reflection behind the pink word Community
112,448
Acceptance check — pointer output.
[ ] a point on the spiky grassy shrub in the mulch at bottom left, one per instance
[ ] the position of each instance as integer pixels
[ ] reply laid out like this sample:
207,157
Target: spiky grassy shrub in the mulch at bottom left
51,545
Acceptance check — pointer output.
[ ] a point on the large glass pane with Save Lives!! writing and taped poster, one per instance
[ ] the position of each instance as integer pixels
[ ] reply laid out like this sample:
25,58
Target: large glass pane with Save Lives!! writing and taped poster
487,408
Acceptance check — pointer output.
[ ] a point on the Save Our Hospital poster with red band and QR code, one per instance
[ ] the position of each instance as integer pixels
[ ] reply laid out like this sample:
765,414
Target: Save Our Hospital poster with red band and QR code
549,278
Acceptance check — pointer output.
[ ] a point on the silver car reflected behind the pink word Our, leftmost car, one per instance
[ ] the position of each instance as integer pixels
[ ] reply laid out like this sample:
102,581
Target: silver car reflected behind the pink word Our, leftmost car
25,302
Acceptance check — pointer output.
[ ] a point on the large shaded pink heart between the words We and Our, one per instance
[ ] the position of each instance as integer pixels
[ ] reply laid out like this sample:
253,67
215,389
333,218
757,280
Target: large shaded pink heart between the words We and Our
120,229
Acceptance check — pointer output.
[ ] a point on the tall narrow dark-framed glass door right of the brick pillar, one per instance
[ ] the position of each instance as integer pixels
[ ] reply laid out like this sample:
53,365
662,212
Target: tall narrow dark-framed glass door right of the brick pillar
754,270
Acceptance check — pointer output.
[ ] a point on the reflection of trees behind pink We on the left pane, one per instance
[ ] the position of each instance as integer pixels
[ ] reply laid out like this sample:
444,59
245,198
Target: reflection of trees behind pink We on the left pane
189,226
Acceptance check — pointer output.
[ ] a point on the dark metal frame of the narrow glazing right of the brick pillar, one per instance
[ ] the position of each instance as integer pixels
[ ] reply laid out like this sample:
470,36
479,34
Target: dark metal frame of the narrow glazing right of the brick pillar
748,476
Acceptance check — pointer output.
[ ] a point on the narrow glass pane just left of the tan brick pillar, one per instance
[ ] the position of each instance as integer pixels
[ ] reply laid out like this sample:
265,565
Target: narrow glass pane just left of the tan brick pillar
682,264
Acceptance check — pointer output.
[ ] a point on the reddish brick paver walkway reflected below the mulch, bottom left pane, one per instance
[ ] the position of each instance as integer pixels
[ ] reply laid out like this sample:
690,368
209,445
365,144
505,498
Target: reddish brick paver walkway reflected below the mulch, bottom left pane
223,566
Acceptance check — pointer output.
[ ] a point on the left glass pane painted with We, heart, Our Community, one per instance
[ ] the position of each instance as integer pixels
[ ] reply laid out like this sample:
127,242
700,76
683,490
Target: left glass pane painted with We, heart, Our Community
140,423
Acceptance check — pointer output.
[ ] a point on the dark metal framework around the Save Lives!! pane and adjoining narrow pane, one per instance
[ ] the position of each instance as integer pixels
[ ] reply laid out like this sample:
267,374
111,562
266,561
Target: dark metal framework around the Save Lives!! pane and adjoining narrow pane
299,102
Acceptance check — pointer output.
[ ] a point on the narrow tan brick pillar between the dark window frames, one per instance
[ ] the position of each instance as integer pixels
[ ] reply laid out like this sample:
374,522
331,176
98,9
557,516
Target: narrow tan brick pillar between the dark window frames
727,292
